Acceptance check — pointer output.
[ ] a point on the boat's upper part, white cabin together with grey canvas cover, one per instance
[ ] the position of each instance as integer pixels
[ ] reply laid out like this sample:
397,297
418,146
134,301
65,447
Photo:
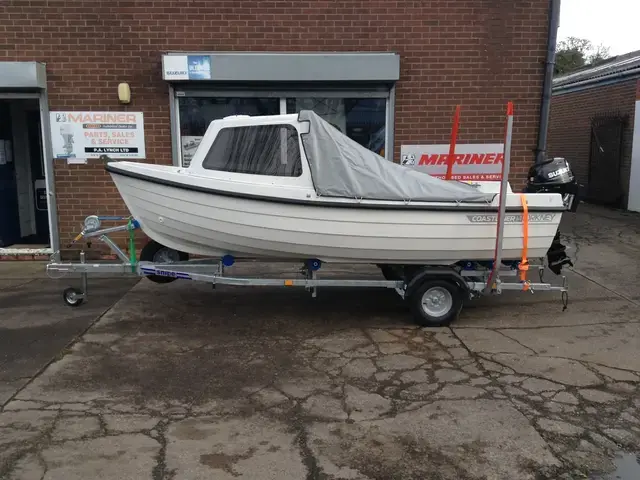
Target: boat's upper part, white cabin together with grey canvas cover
305,151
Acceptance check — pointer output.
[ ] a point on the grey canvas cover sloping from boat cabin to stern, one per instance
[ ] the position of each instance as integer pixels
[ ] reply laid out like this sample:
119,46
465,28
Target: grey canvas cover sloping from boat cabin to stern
341,167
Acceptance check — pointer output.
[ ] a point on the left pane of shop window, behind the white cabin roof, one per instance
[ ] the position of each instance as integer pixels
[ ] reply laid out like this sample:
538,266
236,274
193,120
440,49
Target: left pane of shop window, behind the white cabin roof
196,113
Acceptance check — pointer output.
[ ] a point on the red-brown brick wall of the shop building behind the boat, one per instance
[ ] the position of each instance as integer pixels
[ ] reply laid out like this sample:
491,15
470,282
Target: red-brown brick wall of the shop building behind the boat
480,53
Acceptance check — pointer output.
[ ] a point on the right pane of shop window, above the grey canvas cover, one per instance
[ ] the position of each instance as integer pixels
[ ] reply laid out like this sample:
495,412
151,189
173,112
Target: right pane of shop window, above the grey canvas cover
361,119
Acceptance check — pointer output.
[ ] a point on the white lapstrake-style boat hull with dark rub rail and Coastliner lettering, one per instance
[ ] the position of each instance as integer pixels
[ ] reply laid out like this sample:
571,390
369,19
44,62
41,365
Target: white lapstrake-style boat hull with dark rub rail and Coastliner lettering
204,215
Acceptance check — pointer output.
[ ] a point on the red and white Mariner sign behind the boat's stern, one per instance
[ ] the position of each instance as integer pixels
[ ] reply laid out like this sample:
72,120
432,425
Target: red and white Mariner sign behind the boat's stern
472,162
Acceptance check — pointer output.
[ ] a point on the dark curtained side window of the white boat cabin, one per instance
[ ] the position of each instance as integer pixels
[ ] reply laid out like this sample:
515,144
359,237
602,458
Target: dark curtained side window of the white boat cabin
258,150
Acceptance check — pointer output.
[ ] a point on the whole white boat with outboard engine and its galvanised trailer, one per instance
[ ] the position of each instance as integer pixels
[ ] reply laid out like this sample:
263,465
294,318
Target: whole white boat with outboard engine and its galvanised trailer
293,187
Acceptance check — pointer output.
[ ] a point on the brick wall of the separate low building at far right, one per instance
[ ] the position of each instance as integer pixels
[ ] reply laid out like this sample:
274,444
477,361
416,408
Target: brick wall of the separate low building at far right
570,125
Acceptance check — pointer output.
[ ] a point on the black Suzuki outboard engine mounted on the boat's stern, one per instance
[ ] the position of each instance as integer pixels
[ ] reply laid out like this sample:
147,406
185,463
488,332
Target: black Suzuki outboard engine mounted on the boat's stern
555,176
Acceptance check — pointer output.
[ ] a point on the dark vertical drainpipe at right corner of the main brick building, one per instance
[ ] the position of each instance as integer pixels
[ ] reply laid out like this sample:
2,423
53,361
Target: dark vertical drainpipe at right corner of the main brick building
554,22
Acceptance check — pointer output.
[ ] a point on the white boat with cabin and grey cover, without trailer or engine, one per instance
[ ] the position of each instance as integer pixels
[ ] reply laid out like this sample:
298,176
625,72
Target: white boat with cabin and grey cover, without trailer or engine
295,187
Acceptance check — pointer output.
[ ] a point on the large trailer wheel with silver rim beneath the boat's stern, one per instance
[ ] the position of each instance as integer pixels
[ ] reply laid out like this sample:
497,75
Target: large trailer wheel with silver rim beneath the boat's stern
436,303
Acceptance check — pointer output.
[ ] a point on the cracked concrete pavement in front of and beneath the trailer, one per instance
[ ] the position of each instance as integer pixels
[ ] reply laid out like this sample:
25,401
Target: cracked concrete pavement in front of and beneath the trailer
182,382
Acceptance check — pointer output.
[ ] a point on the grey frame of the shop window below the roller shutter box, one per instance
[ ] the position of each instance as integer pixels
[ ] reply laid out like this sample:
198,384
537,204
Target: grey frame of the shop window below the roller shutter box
282,91
